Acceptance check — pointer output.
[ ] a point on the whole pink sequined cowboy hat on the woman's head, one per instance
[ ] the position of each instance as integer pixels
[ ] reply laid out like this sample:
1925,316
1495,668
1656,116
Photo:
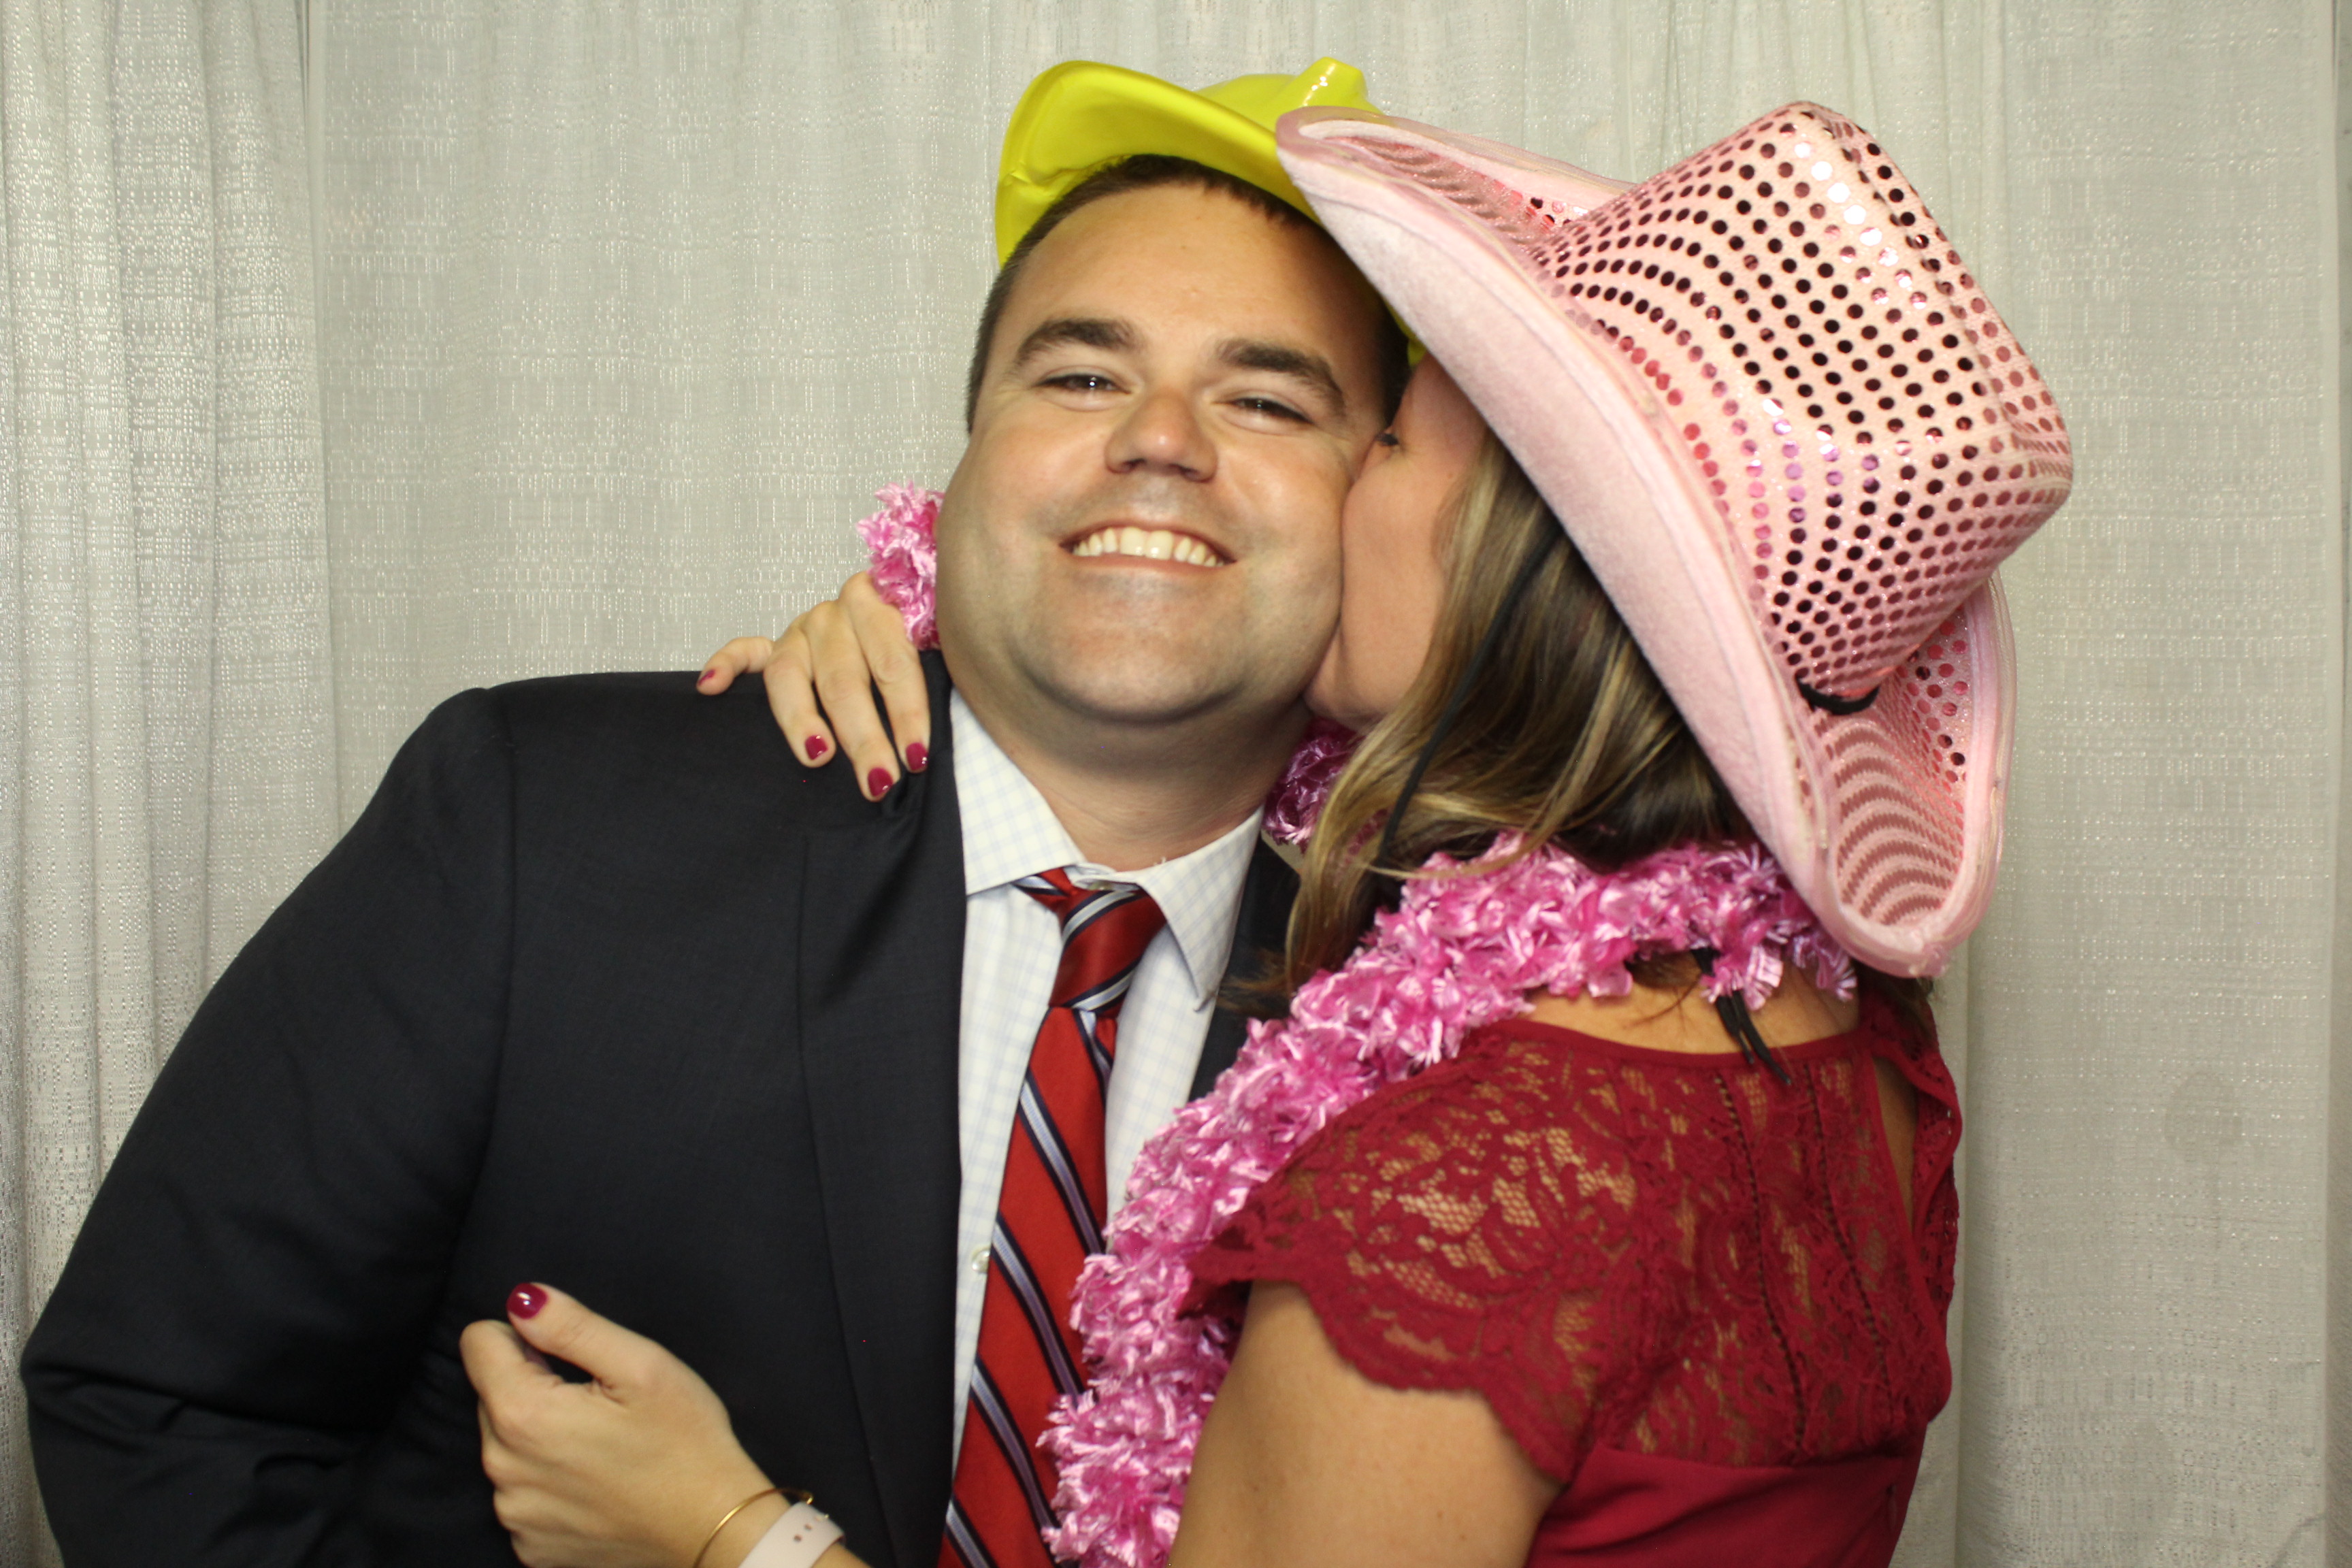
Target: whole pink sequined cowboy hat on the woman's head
1793,441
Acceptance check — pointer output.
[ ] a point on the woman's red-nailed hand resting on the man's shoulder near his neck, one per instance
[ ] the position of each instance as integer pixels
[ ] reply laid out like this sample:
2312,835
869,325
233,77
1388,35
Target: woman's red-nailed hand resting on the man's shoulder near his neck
822,676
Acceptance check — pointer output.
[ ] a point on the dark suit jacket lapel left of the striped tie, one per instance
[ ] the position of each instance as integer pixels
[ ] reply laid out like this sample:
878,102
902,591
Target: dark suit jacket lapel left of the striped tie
881,1003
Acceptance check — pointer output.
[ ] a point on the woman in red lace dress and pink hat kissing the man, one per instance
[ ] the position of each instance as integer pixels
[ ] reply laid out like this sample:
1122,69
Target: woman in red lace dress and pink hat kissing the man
1624,1226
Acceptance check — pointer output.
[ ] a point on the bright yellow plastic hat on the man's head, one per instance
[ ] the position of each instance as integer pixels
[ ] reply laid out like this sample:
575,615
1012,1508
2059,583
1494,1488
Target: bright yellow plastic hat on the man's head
1081,116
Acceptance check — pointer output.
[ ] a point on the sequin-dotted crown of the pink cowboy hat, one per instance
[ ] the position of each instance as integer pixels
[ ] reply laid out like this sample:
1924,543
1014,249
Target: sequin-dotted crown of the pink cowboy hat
1871,434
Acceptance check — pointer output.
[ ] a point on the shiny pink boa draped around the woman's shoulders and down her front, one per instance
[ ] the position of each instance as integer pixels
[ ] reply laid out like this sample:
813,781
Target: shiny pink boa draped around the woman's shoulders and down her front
1462,951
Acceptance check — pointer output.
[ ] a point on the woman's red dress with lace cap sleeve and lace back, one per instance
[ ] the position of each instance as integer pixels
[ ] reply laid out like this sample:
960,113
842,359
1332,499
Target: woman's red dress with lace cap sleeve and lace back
1688,1292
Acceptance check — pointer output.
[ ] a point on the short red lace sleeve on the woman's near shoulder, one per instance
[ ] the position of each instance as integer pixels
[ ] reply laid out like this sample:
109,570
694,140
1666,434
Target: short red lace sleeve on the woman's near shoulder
1459,1233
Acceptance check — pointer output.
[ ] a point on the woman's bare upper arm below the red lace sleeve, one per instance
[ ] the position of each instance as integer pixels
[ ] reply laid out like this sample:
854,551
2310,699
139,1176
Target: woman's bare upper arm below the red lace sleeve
1307,1463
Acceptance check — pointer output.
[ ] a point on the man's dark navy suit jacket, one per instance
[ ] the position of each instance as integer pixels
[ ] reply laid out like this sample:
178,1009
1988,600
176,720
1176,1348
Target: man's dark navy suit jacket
601,991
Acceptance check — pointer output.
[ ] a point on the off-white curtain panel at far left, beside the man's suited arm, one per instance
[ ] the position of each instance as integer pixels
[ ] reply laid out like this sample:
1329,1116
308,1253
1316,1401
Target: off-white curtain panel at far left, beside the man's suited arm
166,706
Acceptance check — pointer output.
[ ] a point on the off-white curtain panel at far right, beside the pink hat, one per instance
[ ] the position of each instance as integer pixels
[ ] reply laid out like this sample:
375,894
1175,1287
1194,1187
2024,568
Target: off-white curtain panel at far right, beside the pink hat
2146,1334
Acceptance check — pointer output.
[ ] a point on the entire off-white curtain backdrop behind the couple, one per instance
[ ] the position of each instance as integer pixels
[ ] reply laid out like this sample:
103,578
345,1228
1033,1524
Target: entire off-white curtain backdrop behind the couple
624,309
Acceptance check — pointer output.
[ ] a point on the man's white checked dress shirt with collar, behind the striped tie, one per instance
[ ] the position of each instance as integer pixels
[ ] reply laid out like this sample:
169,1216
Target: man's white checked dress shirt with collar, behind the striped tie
1013,949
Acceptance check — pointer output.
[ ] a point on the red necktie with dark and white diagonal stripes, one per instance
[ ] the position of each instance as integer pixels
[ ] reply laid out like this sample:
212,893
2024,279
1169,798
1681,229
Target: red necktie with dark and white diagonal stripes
1050,1219
